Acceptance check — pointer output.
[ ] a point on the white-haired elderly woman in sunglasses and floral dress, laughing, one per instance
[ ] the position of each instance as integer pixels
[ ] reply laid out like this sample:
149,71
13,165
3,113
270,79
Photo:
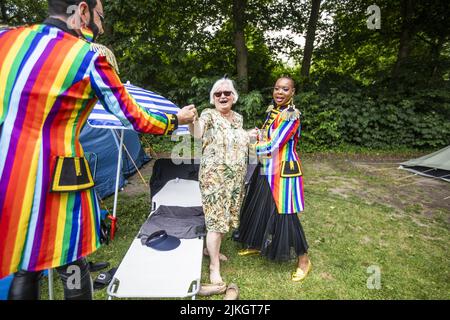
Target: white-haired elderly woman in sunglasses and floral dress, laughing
222,167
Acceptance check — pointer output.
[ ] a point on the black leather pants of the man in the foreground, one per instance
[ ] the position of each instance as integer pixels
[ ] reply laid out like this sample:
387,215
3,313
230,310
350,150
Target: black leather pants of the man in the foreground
75,278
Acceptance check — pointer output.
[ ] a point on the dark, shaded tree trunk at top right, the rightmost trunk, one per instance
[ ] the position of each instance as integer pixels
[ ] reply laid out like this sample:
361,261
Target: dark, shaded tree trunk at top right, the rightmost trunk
405,37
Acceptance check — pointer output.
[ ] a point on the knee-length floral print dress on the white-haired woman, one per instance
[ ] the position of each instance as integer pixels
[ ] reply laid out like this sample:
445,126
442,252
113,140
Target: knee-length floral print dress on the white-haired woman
222,169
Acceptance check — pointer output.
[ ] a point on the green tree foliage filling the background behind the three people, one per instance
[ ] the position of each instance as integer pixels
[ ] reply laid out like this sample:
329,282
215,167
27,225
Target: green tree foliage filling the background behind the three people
376,88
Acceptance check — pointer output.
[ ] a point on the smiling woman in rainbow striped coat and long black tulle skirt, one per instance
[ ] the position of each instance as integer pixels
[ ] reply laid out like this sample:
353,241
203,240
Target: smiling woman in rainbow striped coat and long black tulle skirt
269,222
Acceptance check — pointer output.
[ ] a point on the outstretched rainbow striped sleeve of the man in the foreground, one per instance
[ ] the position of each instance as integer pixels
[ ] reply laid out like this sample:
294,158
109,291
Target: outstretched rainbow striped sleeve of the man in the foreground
116,99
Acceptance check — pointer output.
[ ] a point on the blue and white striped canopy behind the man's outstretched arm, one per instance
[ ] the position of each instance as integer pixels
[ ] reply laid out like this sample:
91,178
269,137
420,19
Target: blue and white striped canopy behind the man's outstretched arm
150,101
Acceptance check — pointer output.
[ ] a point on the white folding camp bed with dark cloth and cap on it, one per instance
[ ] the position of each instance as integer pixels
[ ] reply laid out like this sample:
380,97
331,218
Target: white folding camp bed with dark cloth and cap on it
148,273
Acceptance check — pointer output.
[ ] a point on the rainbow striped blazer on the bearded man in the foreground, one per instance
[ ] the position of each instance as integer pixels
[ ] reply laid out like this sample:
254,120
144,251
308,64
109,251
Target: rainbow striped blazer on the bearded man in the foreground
49,83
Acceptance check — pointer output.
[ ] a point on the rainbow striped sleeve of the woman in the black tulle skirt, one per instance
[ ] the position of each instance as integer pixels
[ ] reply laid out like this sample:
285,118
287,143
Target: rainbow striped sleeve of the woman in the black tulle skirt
281,135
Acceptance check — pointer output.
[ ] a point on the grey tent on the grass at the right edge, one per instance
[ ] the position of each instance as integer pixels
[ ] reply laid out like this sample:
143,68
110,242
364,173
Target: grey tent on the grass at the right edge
435,165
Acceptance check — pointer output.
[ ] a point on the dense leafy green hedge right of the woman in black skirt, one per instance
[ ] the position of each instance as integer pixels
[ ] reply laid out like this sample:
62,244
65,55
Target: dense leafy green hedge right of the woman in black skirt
380,120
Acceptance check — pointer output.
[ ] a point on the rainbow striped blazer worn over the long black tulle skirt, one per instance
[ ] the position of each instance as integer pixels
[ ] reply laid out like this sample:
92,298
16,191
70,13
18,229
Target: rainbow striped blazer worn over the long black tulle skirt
277,151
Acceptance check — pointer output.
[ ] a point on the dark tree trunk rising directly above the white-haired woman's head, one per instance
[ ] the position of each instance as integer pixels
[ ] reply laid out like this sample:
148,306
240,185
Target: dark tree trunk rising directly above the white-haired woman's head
239,7
